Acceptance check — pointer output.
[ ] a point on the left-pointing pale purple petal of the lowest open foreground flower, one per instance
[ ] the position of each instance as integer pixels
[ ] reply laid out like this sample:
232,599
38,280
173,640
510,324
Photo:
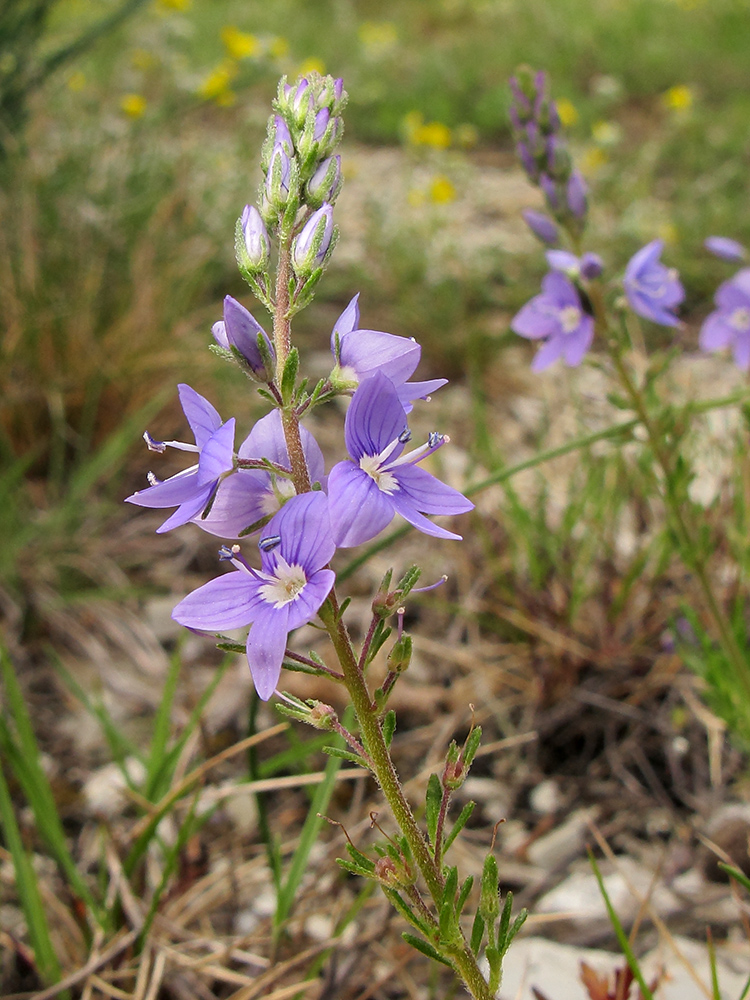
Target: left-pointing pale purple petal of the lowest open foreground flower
229,601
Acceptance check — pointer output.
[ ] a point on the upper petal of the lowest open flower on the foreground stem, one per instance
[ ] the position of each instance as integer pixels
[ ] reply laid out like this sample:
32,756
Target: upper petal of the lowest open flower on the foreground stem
304,527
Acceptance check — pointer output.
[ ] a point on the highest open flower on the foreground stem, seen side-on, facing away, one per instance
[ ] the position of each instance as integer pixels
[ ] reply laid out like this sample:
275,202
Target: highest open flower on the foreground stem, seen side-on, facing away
361,353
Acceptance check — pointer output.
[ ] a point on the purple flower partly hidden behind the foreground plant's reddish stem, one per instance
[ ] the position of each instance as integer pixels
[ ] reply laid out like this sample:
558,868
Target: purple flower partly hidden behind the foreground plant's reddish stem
251,495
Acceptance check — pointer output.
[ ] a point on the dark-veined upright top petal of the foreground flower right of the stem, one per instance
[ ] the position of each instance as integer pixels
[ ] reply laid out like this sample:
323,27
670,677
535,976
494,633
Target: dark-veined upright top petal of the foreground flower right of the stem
374,419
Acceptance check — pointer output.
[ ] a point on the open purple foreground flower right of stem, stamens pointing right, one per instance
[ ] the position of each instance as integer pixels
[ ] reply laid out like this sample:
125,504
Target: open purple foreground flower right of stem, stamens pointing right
379,480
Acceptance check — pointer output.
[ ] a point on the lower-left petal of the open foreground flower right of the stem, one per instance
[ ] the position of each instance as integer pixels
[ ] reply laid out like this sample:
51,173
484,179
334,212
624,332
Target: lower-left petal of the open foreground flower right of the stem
357,508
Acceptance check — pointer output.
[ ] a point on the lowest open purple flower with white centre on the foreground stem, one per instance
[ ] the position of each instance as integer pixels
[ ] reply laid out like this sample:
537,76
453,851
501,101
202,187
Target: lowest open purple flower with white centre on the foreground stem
284,594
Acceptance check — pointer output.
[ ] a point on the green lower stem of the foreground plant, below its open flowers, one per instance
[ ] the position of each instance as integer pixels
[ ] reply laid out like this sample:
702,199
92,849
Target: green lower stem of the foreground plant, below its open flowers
385,774
